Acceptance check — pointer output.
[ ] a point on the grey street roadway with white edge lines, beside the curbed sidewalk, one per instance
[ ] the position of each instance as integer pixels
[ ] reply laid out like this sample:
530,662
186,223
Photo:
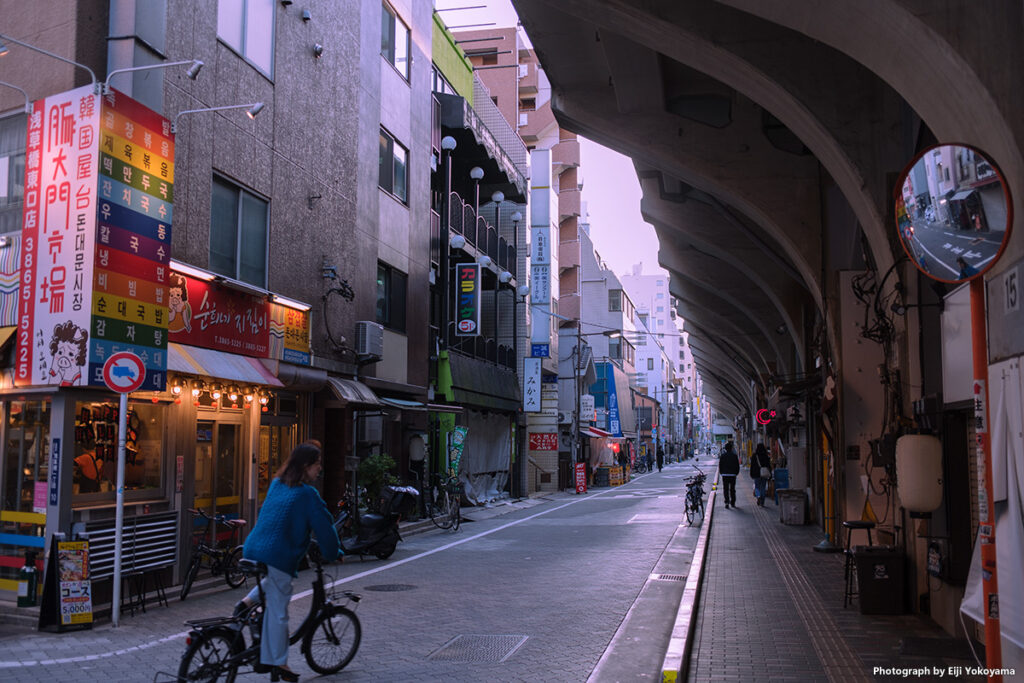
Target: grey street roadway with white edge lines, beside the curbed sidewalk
536,594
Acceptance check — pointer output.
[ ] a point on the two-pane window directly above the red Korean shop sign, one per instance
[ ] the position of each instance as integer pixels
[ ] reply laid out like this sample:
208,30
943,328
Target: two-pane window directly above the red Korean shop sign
238,233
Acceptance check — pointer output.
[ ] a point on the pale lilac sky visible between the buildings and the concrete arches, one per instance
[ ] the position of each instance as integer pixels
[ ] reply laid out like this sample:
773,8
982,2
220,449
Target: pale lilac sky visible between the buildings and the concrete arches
611,188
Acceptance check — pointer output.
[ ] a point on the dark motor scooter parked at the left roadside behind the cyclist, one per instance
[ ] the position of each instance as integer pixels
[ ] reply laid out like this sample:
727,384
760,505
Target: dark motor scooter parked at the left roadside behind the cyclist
373,534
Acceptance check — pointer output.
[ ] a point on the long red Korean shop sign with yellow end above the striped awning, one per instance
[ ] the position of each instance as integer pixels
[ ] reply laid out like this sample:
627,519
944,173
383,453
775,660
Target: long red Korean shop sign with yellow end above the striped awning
203,314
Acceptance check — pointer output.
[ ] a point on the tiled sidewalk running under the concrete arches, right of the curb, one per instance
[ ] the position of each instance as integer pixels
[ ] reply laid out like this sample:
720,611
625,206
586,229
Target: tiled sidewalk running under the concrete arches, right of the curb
770,608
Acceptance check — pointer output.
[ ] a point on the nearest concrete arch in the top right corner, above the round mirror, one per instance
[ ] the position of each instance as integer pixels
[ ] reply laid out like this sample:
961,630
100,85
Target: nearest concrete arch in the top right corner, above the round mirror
976,55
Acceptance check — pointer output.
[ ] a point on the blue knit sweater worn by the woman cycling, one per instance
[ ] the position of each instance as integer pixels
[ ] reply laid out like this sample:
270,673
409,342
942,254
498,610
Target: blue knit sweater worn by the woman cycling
282,533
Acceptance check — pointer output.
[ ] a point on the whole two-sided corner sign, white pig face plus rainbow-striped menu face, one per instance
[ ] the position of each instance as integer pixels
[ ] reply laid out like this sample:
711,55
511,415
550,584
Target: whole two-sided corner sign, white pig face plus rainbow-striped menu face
97,239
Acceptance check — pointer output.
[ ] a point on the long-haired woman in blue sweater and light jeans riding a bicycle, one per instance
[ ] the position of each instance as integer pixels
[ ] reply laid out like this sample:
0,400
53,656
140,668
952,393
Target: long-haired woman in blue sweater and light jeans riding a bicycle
280,540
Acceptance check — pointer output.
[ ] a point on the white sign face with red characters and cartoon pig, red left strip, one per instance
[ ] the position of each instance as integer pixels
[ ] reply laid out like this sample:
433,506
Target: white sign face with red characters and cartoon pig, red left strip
58,239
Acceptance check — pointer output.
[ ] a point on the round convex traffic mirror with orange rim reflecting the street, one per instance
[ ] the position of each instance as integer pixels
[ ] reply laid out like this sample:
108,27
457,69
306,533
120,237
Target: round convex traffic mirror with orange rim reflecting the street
954,212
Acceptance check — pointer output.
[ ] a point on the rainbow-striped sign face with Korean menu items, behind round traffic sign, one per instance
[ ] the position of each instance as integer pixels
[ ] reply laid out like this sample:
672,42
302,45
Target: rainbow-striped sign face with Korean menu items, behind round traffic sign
131,297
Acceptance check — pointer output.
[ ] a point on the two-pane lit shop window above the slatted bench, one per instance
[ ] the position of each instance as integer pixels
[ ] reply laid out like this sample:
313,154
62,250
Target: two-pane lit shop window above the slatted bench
97,449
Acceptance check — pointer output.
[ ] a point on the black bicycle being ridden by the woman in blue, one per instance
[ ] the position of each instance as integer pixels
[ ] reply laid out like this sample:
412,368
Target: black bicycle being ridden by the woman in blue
219,648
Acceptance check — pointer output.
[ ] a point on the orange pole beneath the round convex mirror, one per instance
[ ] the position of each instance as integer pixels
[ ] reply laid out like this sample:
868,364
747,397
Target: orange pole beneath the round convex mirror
987,511
